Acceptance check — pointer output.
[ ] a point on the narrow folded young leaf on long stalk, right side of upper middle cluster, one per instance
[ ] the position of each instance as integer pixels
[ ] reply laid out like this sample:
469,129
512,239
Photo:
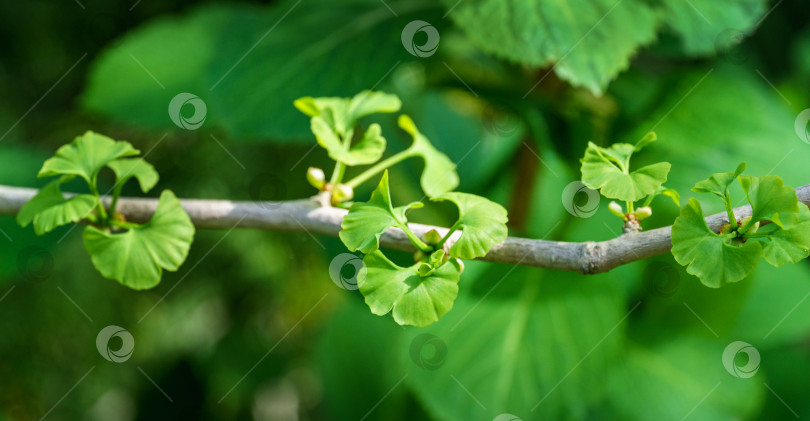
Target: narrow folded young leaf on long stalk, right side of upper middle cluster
439,175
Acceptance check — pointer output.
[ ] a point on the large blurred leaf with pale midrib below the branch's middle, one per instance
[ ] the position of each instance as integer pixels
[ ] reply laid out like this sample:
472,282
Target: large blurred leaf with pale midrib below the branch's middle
538,352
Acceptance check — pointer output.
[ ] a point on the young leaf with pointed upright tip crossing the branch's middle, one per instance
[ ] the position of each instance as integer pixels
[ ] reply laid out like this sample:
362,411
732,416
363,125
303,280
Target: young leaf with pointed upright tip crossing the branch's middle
366,221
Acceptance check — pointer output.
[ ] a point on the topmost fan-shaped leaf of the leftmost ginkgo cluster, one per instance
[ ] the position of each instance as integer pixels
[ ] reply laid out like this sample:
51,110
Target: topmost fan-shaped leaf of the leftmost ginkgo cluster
86,156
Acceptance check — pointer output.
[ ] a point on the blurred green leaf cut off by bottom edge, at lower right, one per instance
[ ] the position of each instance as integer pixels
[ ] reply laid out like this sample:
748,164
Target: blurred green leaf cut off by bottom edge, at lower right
681,378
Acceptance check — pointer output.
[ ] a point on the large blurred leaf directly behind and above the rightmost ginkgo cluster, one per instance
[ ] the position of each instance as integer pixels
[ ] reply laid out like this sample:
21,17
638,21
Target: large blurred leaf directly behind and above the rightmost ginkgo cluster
713,119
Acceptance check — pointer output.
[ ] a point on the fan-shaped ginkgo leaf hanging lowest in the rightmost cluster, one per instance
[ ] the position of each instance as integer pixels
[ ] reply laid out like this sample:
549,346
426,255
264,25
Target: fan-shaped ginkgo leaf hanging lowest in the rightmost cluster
707,255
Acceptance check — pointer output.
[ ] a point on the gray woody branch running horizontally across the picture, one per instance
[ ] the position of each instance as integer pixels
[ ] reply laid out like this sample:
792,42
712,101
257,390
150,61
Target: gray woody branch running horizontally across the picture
308,215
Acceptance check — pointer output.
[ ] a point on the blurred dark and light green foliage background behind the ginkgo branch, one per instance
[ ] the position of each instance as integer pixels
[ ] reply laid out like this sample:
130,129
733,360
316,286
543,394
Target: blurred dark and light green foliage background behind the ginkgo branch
252,327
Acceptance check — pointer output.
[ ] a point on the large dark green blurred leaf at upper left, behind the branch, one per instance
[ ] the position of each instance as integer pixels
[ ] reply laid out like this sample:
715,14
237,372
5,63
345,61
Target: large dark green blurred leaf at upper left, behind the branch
248,63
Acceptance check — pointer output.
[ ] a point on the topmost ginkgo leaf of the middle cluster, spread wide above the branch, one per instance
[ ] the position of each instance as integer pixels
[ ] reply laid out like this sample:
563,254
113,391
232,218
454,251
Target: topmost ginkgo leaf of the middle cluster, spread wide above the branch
342,114
